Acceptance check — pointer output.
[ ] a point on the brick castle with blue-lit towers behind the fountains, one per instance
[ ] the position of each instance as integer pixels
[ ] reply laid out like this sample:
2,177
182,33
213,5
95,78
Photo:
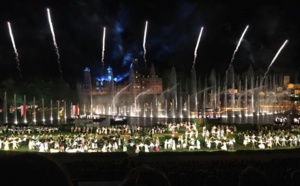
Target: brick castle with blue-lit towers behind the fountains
108,87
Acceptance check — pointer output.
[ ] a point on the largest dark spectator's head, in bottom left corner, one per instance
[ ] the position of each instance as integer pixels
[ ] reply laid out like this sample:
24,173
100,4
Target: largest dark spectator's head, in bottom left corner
31,169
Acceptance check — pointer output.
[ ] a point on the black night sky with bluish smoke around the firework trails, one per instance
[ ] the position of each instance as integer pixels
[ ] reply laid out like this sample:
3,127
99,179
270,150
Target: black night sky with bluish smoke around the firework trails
173,29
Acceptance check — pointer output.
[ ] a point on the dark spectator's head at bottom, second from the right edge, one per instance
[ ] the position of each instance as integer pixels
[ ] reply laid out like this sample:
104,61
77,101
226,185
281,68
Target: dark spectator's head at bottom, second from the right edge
251,176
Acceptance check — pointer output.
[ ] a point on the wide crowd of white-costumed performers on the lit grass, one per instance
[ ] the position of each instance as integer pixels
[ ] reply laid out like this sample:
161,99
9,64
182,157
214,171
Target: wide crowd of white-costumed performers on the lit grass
135,138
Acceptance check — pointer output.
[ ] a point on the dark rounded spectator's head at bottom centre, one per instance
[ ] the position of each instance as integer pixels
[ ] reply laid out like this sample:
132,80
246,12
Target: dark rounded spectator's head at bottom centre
145,175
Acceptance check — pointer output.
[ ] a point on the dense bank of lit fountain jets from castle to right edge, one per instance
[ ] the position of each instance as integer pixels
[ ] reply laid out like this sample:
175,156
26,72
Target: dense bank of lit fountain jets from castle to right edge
241,96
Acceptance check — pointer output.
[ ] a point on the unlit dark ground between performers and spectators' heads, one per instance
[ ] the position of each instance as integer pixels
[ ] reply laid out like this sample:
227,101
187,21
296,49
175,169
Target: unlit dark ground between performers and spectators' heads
181,168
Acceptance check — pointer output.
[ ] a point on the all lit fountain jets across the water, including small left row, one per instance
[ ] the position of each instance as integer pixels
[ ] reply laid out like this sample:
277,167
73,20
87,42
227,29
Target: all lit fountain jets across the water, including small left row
243,96
